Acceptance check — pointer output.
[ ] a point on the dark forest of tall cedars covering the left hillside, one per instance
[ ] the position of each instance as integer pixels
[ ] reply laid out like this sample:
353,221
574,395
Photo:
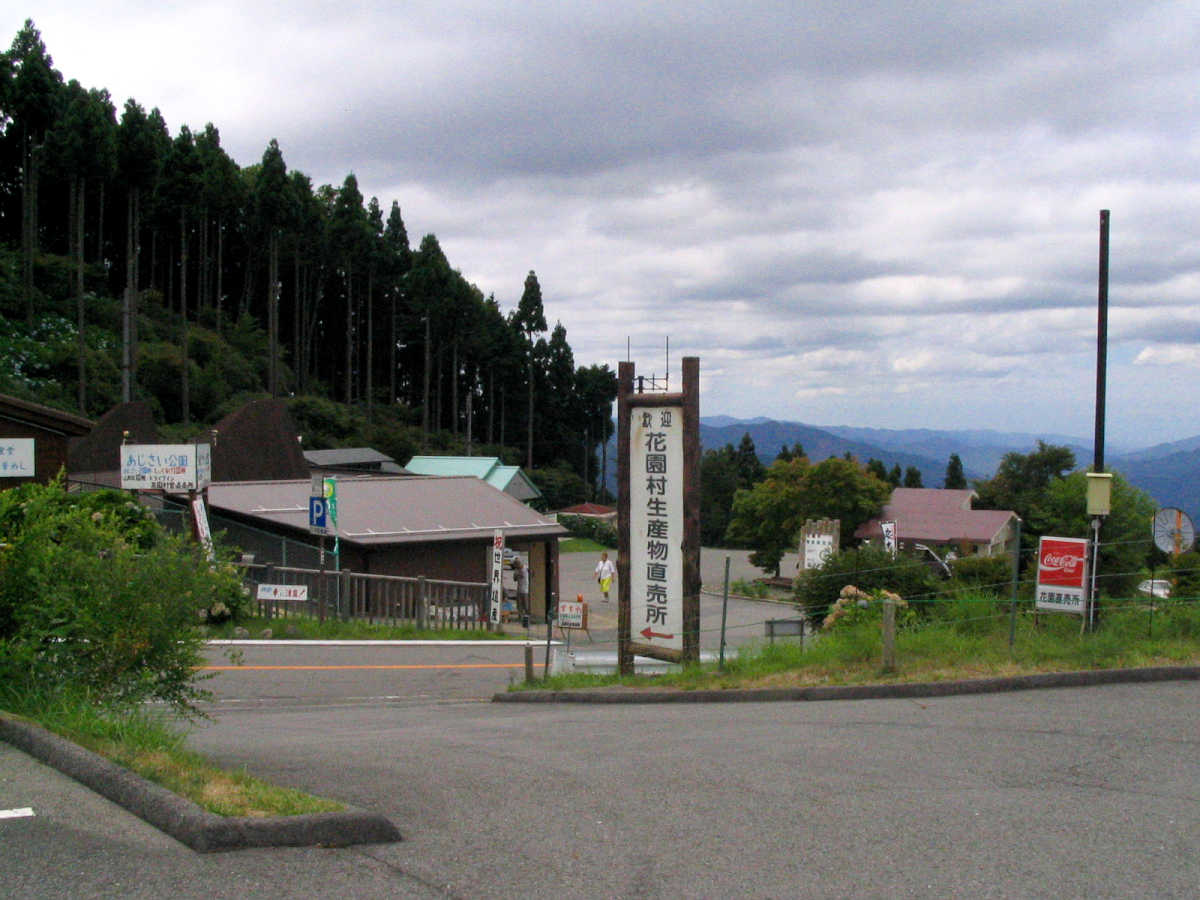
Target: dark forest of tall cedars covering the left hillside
141,266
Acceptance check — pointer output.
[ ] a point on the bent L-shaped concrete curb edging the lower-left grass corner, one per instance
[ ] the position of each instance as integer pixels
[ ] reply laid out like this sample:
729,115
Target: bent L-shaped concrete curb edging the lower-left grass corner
183,820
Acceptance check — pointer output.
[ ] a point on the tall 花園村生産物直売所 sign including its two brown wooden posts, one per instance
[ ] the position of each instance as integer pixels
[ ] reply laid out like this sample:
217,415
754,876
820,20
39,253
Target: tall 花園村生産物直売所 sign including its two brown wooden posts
658,559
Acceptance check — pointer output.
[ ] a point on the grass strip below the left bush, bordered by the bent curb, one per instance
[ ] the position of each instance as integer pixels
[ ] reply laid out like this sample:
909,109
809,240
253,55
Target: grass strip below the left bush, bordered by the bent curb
143,742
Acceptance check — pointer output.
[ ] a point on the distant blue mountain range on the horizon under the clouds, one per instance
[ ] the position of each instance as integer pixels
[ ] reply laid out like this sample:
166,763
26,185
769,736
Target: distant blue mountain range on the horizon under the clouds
1171,473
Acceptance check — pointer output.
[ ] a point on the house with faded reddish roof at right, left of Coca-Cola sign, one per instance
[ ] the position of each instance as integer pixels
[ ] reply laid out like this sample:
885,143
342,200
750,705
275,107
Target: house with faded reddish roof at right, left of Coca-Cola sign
944,519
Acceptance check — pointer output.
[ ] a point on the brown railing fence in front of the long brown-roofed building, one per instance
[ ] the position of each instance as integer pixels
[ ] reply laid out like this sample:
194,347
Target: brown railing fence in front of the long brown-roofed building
379,599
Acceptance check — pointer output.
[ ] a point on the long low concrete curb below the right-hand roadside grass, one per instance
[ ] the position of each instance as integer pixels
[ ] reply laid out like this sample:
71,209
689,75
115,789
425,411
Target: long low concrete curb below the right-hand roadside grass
860,692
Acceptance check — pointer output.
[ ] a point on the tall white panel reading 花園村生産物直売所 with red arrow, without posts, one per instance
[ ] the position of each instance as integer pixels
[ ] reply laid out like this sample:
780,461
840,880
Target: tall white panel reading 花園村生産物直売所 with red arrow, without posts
656,526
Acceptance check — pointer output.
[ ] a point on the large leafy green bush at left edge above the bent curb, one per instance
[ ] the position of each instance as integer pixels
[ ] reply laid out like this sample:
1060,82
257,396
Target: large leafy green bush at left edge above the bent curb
95,595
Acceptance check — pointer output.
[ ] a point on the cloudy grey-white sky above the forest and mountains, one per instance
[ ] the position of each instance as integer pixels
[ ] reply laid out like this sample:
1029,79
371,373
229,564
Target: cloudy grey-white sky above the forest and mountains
880,214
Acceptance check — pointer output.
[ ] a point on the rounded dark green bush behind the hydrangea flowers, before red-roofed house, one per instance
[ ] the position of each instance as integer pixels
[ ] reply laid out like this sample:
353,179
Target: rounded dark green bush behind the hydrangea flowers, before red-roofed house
868,569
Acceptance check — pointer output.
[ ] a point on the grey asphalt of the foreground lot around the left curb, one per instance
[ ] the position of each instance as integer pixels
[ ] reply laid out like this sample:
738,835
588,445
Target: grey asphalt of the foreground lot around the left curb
1064,794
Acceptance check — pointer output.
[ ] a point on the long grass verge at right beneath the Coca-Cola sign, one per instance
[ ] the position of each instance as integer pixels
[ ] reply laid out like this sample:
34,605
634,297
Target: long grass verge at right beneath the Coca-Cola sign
934,650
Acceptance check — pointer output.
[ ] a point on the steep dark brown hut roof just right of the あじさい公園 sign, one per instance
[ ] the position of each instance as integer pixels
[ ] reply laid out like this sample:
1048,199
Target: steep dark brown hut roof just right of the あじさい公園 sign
259,443
